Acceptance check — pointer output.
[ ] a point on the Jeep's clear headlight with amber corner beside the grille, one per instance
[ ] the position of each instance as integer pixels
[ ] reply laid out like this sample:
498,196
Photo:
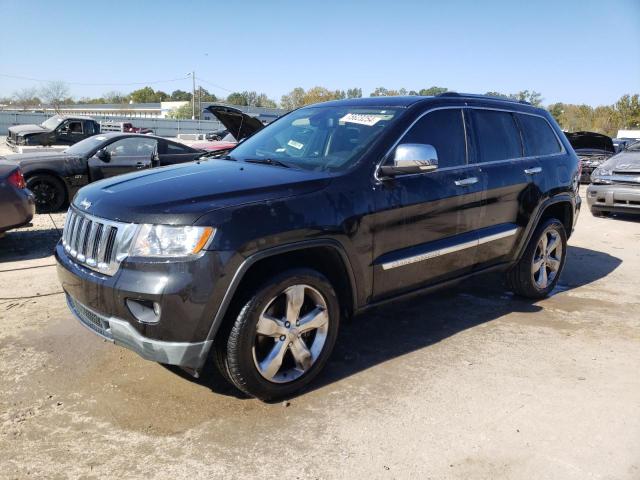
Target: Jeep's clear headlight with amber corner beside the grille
170,241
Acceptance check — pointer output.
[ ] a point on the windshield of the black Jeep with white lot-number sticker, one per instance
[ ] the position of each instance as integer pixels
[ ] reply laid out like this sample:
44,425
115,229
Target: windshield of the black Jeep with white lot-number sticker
317,138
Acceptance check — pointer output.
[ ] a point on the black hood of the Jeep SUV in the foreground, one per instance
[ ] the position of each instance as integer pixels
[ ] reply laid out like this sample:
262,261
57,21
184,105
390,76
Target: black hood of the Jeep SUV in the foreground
180,194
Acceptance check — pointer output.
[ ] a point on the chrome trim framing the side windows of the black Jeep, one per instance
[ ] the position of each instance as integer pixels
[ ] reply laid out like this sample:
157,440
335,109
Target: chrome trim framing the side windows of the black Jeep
385,157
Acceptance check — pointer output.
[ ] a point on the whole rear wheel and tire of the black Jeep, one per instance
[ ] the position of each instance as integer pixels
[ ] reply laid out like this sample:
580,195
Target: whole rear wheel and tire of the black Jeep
538,271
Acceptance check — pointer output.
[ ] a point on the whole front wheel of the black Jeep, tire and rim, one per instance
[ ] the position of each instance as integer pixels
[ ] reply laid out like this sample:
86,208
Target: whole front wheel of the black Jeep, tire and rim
283,335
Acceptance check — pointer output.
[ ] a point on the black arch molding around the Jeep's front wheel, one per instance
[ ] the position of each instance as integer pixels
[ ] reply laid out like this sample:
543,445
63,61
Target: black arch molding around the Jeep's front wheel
261,255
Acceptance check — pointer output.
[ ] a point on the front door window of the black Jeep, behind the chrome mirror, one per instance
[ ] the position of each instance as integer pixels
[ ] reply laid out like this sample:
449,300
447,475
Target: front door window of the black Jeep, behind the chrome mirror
444,129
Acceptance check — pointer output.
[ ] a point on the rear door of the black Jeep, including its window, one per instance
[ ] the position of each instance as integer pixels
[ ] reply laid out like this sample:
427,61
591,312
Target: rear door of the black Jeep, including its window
508,194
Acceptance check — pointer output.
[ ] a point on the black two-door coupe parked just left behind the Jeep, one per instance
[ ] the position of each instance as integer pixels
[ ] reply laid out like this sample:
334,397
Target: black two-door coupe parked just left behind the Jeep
55,177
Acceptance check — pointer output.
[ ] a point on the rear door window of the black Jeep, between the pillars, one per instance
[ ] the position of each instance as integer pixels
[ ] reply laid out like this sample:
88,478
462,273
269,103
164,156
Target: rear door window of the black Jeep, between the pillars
496,135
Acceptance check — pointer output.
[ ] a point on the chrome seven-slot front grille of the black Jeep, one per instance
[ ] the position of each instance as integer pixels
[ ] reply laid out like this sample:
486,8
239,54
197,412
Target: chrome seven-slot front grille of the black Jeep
96,243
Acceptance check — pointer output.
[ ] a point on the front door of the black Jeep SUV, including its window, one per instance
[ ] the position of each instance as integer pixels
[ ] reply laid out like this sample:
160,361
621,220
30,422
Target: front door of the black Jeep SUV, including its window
425,225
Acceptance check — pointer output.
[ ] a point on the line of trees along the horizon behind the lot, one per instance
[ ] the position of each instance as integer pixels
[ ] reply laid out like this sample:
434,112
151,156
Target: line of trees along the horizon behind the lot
606,119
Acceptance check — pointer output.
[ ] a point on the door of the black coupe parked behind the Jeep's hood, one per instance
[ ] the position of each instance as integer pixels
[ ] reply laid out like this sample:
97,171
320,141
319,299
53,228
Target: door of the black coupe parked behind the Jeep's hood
126,155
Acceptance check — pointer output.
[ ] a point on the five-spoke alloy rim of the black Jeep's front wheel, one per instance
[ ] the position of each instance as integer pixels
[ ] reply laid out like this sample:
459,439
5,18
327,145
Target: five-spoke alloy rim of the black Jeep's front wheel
290,334
